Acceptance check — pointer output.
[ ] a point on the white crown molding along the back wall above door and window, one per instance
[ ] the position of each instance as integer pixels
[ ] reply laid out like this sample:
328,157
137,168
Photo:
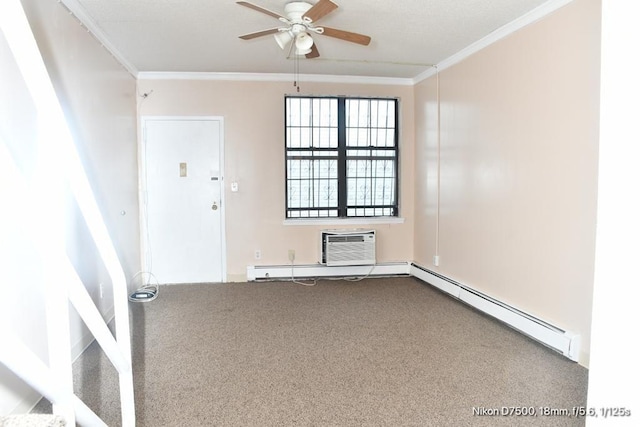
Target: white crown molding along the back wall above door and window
273,77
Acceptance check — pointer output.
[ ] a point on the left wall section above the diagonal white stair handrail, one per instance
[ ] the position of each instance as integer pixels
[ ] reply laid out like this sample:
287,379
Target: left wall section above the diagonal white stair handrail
99,99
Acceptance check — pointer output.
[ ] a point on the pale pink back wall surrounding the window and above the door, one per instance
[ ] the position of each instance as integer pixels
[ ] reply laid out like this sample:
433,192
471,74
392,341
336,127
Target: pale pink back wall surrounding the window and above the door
254,157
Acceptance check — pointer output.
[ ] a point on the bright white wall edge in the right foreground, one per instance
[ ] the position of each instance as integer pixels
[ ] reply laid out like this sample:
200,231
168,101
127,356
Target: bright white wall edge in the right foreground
615,373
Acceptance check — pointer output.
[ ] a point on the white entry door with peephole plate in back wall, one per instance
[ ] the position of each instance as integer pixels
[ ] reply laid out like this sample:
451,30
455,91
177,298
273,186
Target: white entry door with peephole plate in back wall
183,232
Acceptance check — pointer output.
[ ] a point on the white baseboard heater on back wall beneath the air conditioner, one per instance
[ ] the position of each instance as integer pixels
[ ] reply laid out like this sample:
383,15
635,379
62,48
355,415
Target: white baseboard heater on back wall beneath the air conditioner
274,272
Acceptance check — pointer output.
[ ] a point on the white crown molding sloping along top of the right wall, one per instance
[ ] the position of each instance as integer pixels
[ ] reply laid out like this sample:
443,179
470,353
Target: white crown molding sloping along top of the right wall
502,32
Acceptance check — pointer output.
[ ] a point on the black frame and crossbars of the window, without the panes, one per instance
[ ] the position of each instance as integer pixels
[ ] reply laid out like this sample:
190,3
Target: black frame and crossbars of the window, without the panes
343,154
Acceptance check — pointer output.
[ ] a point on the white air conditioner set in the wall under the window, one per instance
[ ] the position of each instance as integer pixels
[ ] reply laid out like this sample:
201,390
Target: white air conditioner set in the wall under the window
347,247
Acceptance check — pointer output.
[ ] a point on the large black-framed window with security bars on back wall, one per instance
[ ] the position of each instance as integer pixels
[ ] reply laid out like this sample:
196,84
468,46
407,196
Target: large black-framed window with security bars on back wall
341,157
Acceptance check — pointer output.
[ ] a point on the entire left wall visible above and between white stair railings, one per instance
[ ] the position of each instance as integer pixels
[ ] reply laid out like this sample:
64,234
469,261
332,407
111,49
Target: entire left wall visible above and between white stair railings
98,97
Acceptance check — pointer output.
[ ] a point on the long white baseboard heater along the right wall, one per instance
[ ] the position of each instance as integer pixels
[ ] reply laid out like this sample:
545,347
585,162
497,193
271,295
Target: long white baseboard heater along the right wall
560,340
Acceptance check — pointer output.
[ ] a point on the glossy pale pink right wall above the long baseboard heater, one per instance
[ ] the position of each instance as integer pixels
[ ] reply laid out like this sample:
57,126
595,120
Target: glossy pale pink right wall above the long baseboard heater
518,168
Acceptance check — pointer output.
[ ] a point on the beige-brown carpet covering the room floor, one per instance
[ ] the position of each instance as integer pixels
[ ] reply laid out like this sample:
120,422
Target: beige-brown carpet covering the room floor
379,352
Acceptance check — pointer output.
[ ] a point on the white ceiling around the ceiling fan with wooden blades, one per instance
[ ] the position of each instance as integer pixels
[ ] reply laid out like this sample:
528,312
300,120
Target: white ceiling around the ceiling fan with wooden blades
202,35
